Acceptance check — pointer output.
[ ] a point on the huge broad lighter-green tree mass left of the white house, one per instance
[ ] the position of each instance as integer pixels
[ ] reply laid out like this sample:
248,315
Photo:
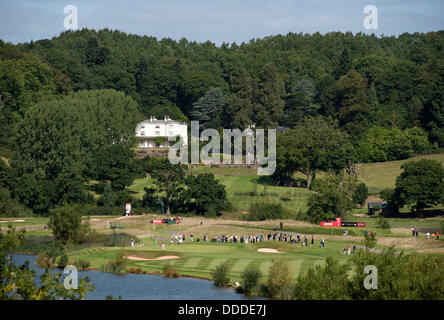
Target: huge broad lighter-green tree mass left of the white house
57,140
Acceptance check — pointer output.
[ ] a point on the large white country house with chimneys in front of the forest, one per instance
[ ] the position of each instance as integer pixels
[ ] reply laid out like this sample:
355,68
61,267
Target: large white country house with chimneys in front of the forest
154,133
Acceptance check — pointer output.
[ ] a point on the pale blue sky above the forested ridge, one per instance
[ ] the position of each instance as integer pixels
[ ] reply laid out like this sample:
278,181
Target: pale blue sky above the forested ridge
217,20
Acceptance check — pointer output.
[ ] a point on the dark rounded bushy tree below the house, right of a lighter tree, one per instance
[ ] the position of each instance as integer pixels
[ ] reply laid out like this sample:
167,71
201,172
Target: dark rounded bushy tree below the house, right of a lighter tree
205,194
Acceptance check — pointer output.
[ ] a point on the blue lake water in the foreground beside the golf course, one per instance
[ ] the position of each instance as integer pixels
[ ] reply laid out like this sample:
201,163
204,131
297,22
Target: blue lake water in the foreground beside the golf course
144,287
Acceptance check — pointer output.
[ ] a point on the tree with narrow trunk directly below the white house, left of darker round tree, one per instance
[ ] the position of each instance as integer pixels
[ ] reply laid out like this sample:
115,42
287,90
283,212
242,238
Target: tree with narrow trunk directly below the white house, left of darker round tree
168,180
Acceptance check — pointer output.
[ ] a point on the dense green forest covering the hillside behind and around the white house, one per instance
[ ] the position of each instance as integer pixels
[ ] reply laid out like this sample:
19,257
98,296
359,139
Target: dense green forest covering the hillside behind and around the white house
65,100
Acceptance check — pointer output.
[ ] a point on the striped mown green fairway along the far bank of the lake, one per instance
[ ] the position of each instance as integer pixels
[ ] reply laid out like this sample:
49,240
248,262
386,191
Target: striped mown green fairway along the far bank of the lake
200,259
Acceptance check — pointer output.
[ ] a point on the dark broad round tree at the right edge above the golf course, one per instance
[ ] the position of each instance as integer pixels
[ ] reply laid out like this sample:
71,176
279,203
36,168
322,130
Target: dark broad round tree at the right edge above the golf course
420,185
